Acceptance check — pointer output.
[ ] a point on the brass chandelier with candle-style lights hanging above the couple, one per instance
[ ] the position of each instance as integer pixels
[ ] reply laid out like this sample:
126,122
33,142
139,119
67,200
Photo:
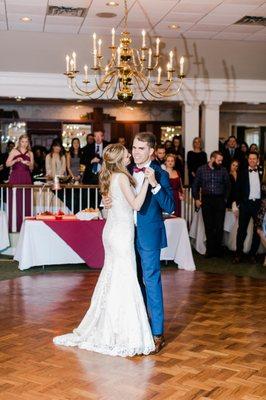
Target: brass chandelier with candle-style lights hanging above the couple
129,70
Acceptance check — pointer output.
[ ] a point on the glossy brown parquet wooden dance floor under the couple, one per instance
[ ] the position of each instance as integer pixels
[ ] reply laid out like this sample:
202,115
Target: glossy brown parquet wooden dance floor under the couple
214,332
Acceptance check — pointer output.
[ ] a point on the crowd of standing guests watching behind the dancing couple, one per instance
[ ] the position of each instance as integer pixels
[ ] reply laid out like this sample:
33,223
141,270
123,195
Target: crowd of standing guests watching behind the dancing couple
231,179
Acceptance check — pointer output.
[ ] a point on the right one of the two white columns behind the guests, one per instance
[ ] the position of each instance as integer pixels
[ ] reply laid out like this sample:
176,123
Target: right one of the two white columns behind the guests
210,126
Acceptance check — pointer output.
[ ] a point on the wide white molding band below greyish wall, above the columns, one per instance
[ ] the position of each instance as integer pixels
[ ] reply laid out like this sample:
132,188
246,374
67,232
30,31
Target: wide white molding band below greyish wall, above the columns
194,91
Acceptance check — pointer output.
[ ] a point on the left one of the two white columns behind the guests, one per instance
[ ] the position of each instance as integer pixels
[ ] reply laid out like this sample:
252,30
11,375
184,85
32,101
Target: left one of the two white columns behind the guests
190,127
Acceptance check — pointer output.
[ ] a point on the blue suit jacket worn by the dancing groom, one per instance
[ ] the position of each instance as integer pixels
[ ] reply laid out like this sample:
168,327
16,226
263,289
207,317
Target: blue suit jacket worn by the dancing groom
150,225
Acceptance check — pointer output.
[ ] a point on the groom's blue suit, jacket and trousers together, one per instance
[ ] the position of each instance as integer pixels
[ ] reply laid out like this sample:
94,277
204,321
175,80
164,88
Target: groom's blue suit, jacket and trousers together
150,239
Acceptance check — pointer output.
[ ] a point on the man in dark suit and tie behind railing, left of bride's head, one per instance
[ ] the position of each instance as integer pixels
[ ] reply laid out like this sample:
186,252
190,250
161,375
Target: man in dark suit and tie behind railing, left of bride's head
92,159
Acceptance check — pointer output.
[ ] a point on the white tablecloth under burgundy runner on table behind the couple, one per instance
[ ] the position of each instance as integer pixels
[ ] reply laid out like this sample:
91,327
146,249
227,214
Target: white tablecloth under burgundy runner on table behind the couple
40,245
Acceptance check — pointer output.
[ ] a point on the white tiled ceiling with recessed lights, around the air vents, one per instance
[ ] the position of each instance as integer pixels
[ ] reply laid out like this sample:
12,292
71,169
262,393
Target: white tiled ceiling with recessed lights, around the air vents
197,19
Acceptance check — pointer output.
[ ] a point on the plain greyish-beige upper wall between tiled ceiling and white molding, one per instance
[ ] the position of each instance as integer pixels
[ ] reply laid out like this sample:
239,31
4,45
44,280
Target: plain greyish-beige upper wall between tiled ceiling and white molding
45,53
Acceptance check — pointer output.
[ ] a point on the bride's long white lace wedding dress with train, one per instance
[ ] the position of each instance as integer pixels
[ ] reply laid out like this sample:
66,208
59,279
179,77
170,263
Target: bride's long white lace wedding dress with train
116,322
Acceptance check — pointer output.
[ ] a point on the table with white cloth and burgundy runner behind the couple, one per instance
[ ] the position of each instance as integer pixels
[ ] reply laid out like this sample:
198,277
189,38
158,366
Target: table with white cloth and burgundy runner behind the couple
74,242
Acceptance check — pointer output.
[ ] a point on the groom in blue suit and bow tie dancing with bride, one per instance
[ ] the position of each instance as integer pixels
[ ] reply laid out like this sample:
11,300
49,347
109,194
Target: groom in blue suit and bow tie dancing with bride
150,235
